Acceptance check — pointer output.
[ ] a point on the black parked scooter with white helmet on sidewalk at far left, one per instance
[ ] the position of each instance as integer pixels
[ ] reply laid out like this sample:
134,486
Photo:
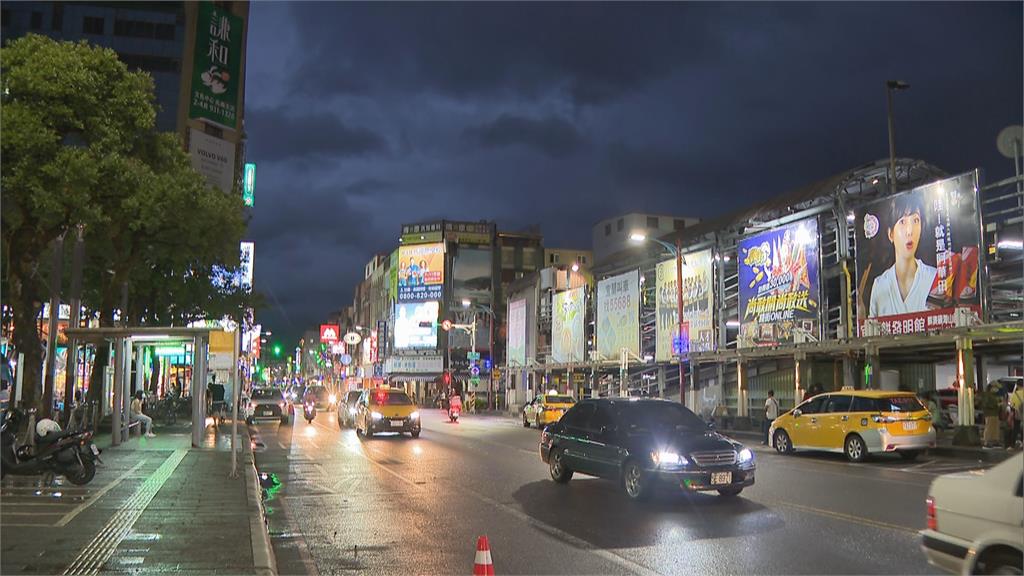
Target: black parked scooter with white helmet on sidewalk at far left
68,454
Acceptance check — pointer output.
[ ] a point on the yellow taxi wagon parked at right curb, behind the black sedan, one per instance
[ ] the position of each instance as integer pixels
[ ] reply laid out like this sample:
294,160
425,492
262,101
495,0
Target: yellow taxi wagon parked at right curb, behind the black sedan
857,424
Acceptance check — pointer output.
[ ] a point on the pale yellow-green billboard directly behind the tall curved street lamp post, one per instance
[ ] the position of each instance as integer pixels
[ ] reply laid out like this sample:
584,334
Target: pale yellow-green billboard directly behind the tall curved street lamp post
699,313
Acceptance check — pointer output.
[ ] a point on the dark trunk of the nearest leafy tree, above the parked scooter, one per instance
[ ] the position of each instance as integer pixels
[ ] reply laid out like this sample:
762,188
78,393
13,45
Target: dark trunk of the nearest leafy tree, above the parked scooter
27,307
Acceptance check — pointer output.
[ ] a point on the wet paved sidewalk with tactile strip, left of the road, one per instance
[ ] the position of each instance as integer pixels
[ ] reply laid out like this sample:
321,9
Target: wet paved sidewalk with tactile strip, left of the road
156,506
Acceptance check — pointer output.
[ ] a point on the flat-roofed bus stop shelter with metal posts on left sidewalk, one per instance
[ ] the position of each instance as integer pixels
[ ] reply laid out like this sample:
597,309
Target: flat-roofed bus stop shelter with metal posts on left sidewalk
129,341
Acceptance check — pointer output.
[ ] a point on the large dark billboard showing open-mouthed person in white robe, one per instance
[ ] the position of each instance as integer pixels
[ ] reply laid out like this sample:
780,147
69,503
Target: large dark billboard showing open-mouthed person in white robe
918,258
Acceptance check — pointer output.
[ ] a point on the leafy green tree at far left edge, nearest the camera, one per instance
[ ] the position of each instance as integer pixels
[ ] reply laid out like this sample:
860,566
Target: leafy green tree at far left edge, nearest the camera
70,110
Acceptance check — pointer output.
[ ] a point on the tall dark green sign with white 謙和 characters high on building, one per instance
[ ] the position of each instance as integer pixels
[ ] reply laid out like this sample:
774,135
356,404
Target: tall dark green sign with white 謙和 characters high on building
217,66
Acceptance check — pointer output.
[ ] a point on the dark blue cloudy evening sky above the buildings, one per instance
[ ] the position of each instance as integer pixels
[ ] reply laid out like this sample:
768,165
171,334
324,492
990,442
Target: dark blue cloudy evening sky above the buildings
363,117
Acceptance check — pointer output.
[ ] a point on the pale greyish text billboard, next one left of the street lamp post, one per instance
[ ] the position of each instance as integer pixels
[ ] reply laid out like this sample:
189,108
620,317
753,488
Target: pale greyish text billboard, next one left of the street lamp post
619,315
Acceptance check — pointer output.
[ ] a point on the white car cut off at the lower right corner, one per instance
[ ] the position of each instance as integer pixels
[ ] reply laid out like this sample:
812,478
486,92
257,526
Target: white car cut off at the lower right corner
976,521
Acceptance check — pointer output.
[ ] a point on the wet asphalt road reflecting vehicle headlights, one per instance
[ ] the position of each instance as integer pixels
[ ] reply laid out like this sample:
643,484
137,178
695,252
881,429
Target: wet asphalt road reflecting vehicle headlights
394,505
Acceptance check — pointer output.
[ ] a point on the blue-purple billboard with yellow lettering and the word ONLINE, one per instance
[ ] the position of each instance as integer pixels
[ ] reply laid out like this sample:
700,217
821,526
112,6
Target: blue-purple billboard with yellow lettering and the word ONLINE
780,299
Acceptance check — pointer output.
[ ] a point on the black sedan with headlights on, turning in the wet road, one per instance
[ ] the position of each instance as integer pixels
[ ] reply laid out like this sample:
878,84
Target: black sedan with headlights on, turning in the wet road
643,443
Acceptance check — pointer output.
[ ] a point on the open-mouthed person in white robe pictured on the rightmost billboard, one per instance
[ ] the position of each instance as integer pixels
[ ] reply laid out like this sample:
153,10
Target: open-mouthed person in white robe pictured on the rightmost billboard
905,286
